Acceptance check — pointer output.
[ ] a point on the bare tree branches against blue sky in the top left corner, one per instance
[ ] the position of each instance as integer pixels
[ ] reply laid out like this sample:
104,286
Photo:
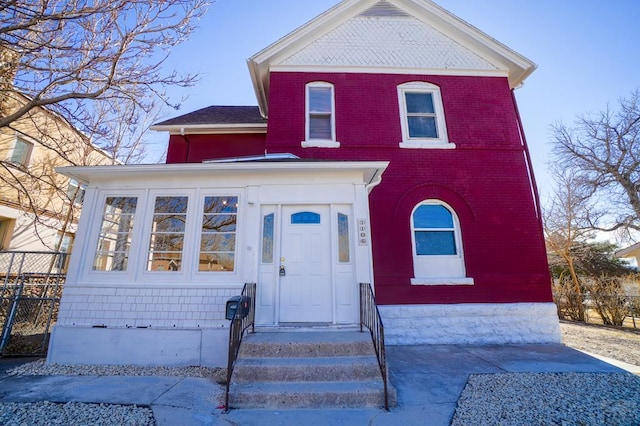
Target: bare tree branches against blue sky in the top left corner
63,54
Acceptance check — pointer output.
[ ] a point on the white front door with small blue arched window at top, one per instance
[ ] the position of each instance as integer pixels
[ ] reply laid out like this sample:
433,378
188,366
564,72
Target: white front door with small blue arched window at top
305,265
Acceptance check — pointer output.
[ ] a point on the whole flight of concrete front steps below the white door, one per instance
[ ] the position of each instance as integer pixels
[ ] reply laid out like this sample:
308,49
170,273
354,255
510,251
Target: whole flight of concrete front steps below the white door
307,369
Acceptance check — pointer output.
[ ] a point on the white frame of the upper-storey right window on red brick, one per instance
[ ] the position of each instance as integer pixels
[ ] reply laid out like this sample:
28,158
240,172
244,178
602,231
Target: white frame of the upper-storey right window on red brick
442,141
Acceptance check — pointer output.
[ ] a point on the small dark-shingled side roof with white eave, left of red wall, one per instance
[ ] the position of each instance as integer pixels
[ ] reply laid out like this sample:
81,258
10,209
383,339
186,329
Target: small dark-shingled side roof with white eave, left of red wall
216,118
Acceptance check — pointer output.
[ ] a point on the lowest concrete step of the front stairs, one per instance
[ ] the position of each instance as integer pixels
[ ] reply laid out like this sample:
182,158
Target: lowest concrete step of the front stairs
280,395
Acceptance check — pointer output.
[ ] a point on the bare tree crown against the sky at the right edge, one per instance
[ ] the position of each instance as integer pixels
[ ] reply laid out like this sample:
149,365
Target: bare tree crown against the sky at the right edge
604,152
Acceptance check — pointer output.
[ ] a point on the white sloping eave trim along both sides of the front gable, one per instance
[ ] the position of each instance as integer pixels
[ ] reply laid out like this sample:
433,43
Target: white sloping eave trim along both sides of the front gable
518,67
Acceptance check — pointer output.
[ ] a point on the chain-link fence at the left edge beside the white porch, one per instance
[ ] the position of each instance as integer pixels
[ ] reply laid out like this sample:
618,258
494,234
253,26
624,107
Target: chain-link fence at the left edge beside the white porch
30,290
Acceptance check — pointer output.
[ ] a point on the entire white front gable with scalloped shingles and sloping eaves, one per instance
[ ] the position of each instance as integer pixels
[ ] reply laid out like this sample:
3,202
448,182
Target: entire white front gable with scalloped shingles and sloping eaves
387,36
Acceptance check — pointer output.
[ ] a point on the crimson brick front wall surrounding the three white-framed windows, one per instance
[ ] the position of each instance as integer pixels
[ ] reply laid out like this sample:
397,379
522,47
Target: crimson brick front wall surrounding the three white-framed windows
484,179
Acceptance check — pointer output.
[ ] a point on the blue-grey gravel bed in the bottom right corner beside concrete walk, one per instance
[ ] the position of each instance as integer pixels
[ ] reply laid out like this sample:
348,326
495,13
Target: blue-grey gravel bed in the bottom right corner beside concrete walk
585,399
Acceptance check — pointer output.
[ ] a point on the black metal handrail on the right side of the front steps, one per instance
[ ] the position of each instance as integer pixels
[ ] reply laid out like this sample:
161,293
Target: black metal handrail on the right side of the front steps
370,318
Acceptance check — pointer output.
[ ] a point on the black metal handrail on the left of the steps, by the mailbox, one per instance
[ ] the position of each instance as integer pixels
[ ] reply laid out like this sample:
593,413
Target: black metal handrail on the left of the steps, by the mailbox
243,319
